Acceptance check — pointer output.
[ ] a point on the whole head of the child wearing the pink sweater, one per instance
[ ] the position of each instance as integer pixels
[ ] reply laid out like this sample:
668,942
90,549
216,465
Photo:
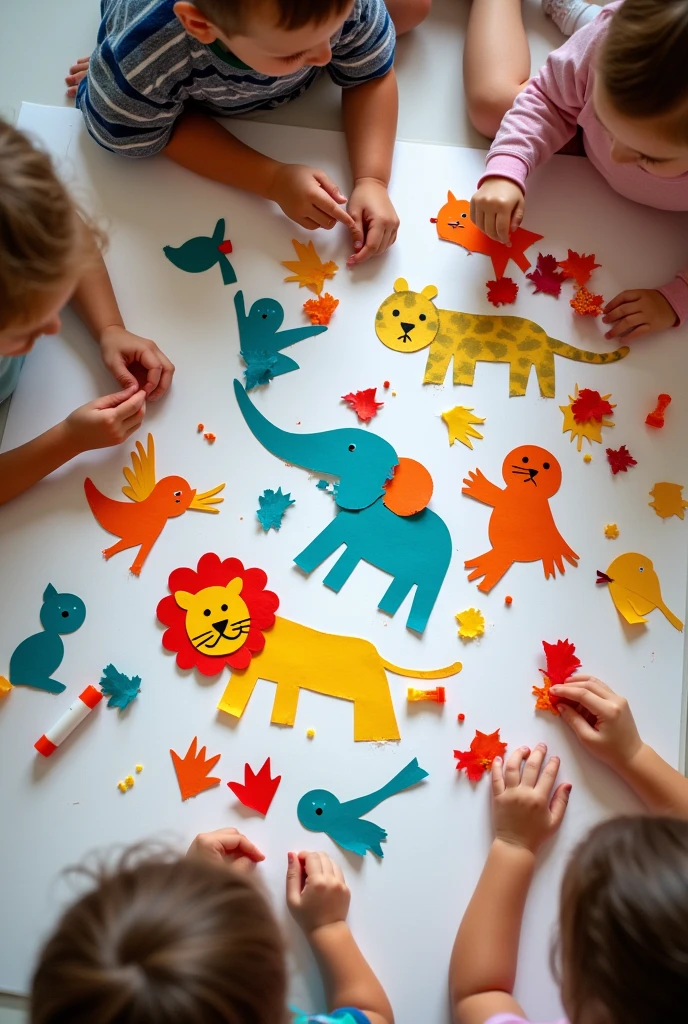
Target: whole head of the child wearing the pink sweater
641,89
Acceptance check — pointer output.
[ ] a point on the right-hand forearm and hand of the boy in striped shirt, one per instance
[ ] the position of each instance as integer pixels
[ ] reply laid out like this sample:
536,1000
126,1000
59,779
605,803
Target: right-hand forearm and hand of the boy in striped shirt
370,112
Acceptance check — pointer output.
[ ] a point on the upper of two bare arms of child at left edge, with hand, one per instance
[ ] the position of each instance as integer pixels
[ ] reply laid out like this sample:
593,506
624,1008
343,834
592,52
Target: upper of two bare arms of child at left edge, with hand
96,305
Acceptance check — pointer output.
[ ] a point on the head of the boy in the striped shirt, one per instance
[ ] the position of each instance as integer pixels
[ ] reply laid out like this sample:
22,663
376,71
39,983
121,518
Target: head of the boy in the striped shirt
274,37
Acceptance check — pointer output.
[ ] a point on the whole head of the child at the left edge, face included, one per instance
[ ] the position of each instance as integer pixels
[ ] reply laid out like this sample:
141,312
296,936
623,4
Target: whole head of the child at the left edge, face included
42,244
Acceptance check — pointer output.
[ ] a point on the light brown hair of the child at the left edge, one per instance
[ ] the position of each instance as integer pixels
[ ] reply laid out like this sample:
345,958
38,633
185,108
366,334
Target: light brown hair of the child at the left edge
42,239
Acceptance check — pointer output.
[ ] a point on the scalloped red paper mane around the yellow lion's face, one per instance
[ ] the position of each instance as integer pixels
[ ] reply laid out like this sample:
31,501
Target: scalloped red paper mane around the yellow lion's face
212,573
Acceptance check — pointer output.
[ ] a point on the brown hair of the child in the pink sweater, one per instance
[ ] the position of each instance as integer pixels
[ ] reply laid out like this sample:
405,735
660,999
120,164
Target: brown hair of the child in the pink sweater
643,64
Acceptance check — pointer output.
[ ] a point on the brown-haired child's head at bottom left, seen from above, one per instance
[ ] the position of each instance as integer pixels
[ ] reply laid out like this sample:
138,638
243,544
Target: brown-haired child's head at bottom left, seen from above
164,942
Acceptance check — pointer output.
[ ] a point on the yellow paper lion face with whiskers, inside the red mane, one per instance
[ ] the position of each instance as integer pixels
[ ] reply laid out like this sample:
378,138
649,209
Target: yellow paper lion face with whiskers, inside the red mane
218,618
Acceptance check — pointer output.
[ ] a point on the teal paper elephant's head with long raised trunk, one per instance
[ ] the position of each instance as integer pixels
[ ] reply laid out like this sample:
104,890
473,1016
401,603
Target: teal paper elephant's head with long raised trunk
362,460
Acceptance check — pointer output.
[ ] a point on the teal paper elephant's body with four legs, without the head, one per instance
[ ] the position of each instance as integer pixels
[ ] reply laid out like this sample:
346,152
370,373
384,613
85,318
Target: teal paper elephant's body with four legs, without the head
416,550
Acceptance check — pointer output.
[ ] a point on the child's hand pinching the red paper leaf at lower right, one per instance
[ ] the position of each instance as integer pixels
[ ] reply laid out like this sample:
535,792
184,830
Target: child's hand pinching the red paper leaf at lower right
615,738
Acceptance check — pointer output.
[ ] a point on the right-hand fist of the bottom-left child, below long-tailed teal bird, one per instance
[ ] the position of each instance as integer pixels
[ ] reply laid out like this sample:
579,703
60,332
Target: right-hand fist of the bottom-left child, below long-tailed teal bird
317,892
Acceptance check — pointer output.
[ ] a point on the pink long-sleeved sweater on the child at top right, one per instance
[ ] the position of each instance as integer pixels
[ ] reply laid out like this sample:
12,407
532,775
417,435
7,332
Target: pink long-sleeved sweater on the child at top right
545,116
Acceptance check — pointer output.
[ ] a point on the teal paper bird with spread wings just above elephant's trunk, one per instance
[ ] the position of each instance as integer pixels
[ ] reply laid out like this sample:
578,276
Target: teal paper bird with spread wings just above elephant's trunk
262,342
